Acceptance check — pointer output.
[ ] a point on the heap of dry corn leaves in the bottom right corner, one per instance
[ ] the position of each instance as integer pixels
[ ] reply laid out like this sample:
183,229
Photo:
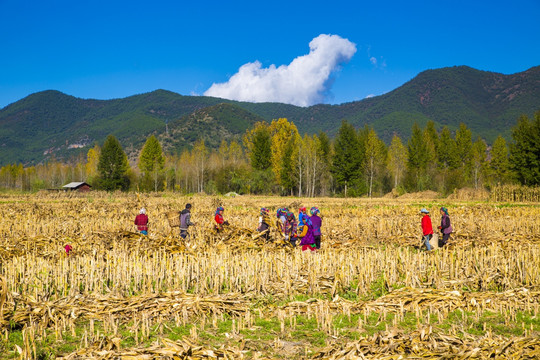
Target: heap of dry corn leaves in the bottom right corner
425,343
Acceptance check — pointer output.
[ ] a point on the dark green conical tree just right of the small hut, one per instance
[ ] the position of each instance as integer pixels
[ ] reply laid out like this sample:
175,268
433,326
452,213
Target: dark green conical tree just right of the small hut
113,166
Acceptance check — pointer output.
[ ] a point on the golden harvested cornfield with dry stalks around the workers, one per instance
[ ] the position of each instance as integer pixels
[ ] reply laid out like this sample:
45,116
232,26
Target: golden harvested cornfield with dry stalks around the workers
371,291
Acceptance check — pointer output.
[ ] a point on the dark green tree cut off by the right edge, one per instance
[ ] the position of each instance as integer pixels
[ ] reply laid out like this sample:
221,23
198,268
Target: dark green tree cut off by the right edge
525,150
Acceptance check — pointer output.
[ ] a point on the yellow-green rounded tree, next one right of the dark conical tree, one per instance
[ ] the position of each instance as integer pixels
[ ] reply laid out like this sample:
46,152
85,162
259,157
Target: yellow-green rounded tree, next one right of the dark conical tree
151,163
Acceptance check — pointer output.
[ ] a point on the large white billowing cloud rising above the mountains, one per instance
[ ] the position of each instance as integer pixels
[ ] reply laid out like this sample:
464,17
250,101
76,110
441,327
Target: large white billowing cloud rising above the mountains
304,82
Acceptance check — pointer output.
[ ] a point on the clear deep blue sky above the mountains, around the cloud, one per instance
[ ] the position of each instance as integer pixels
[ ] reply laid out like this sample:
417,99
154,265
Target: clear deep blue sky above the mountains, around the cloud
111,49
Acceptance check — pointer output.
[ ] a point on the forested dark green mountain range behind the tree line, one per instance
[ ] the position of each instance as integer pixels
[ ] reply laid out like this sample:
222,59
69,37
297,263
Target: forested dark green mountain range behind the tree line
51,123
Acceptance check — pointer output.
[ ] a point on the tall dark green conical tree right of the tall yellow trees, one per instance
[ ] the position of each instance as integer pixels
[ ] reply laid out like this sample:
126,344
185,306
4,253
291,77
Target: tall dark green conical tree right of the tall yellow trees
347,162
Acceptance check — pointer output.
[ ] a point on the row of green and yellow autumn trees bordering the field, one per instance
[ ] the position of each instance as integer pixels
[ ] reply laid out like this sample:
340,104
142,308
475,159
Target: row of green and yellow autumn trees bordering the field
273,158
